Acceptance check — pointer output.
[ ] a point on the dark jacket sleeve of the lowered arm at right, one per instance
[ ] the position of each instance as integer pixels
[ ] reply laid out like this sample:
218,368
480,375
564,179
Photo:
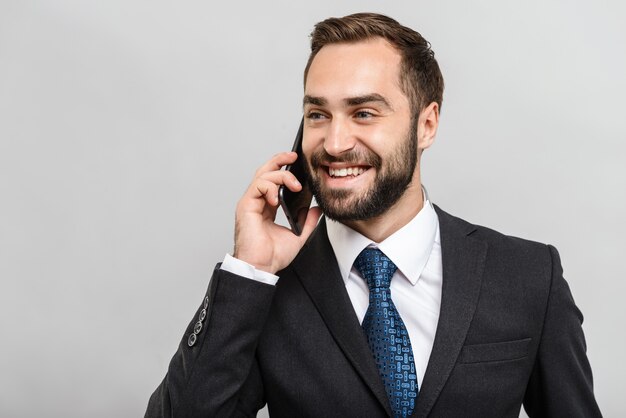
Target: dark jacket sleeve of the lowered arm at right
561,382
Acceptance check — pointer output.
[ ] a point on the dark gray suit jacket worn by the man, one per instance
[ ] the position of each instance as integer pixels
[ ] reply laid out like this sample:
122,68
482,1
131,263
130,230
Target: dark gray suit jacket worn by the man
508,333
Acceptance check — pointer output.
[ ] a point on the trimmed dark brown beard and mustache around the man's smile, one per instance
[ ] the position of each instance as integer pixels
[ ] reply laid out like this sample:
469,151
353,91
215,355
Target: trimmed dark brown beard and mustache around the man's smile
393,177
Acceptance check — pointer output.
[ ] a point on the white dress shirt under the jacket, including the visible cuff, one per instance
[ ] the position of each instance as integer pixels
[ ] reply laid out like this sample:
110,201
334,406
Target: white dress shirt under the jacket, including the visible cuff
415,287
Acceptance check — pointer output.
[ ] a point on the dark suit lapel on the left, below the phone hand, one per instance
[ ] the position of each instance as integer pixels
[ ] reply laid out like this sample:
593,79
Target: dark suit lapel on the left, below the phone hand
317,269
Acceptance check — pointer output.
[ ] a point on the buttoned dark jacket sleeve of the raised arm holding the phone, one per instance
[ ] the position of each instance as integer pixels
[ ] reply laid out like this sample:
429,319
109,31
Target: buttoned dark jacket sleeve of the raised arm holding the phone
218,376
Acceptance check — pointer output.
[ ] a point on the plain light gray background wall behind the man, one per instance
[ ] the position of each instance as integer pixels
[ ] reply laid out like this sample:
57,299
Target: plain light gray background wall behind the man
129,129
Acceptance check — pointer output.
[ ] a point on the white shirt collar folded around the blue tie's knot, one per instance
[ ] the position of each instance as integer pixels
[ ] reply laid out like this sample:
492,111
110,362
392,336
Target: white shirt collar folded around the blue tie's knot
409,247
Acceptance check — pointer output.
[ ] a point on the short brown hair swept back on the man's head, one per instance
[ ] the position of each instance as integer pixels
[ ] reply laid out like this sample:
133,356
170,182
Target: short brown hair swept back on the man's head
420,76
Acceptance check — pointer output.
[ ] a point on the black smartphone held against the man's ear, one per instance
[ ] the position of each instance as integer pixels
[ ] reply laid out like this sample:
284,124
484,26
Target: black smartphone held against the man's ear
296,205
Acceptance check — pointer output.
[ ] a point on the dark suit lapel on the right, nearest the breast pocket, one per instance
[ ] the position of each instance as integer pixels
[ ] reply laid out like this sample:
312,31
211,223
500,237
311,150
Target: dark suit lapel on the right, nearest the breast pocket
463,259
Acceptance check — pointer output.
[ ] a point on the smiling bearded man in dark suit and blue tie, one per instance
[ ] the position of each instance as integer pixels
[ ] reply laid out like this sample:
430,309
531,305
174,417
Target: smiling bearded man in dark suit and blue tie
389,306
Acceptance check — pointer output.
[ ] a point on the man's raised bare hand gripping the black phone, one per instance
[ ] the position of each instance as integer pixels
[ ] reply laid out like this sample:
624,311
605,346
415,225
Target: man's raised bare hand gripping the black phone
258,240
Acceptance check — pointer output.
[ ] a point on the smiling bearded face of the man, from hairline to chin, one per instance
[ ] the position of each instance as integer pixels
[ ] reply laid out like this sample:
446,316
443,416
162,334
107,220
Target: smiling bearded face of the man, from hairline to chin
360,140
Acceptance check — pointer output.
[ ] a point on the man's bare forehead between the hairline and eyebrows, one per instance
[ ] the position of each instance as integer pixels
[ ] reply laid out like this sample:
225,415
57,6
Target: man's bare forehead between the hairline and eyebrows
352,69
